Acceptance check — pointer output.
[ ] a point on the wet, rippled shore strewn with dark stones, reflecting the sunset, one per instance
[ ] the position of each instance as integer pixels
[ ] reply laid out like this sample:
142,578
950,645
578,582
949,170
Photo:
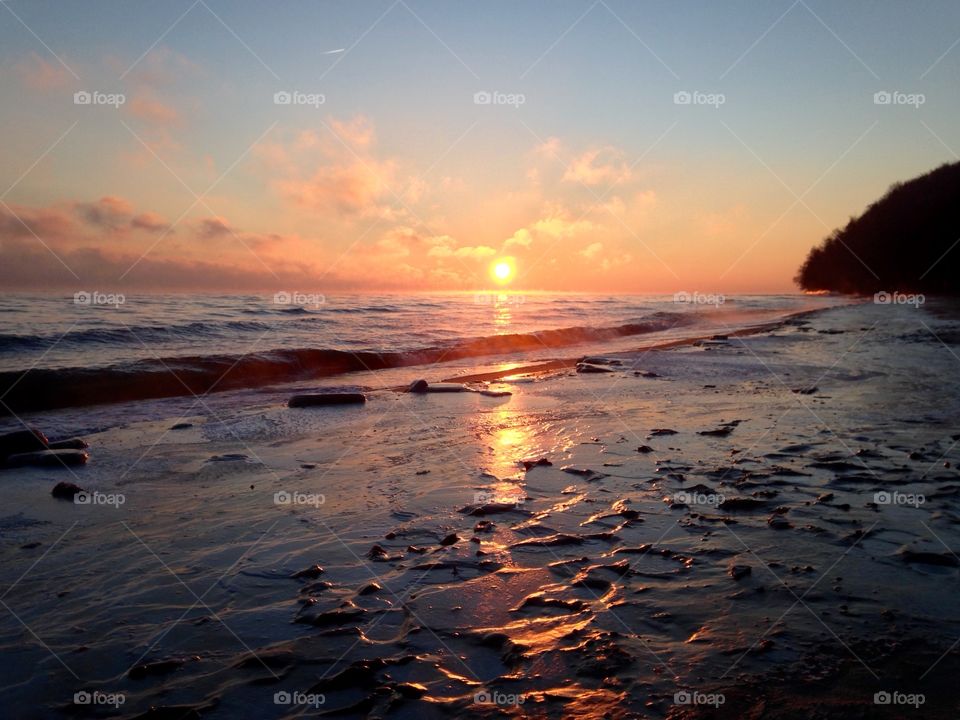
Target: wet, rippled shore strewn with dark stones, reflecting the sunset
741,565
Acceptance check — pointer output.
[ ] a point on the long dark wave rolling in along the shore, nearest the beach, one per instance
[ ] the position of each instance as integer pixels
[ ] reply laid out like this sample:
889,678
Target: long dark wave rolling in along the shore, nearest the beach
48,389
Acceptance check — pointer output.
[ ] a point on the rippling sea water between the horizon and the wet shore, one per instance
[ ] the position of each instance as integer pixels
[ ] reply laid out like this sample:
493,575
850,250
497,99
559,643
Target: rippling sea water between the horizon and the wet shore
99,348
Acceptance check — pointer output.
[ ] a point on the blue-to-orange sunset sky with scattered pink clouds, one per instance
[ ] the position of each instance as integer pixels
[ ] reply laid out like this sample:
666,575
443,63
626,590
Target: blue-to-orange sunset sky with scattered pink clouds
410,145
